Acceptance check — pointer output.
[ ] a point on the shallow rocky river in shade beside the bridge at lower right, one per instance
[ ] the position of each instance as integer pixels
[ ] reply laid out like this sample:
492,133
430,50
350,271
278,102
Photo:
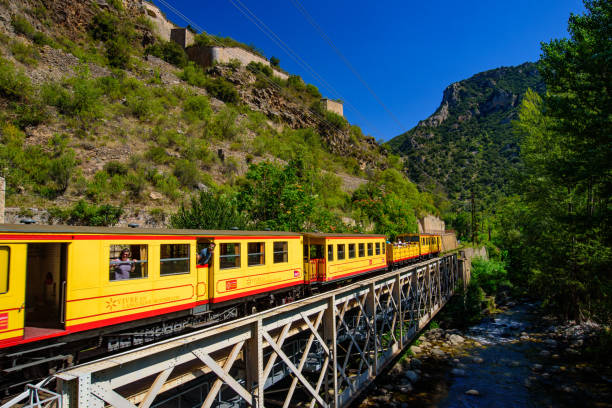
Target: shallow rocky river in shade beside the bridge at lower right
517,357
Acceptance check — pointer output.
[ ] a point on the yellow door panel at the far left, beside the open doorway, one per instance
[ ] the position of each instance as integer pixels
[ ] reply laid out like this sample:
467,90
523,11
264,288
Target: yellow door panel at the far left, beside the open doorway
12,291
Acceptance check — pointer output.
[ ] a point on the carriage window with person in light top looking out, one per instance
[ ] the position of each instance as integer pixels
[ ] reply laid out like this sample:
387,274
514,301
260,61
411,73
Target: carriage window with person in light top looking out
128,261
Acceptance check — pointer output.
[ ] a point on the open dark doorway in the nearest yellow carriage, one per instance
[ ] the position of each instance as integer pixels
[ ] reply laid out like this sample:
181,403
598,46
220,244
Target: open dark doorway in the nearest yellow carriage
45,295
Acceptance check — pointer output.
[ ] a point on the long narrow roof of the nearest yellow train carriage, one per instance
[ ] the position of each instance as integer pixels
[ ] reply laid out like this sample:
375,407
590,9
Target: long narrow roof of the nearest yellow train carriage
71,229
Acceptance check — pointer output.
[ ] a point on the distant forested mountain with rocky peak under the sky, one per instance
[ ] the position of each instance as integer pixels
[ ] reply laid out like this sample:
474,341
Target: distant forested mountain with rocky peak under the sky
468,142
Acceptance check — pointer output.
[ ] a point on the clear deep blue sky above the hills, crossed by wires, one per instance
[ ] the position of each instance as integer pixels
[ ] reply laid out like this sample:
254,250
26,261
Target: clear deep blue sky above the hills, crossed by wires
406,51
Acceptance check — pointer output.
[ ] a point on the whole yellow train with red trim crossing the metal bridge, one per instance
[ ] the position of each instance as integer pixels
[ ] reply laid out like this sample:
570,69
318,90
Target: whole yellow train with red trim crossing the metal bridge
70,293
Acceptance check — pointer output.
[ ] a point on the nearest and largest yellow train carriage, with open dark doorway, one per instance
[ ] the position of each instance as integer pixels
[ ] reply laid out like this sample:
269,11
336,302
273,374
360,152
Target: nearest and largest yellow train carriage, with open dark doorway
59,280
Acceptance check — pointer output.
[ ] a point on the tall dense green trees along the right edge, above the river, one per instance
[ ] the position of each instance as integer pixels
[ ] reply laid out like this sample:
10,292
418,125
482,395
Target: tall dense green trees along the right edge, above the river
566,140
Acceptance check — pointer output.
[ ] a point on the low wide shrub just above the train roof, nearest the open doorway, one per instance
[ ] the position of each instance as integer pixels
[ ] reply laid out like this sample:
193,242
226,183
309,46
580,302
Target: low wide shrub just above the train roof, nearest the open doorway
87,214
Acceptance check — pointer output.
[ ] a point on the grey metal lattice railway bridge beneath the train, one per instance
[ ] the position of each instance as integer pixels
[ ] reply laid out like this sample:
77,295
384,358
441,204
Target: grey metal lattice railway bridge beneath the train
320,351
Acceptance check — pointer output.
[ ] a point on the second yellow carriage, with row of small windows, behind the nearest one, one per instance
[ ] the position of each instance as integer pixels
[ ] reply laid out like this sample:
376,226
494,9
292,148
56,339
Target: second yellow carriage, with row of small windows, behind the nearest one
334,257
